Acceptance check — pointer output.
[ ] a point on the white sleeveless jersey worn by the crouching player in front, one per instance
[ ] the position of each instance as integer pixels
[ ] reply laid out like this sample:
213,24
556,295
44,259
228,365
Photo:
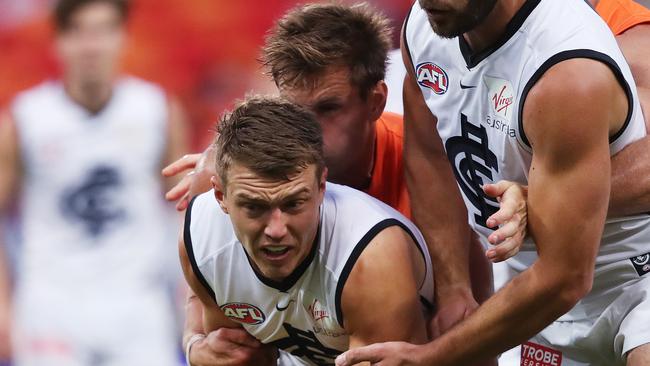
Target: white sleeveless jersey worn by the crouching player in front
302,314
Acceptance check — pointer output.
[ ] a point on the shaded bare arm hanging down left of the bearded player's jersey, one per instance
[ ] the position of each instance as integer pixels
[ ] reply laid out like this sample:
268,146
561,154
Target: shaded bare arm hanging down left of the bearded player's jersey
431,184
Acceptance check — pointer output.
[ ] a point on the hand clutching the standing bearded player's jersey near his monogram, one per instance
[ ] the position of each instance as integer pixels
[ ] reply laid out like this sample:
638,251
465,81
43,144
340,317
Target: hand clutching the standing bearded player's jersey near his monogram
511,219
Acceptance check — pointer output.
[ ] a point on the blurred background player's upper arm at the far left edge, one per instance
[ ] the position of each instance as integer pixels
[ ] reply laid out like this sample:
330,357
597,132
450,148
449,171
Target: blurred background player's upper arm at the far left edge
10,164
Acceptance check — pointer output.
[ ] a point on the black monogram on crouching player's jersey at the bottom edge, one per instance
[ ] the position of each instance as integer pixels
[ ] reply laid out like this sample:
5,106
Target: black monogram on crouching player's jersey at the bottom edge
302,343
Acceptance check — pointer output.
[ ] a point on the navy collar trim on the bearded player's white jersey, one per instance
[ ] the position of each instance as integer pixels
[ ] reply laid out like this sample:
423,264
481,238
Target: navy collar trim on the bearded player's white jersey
473,59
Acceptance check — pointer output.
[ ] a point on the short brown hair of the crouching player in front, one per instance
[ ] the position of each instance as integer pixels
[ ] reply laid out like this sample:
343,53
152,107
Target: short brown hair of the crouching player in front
270,136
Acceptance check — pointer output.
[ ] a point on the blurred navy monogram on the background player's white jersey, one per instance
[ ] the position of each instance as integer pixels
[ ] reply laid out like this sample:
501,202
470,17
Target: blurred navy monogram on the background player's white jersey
90,202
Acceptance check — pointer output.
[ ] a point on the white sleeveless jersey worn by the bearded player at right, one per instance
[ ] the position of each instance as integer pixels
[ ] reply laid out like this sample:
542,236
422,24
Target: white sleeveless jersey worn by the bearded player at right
478,100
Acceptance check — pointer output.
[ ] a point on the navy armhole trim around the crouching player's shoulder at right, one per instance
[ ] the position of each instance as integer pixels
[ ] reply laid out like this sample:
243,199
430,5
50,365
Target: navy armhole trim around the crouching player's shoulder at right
356,253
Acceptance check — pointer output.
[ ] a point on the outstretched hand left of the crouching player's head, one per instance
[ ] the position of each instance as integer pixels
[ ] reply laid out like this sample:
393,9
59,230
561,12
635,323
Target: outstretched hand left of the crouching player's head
197,180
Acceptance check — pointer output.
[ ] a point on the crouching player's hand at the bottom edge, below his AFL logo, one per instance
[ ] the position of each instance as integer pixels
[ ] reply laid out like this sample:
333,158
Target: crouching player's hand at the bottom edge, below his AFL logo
232,347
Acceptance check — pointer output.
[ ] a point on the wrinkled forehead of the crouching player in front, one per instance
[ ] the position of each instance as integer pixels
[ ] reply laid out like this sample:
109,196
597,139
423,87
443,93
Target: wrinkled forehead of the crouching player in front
245,184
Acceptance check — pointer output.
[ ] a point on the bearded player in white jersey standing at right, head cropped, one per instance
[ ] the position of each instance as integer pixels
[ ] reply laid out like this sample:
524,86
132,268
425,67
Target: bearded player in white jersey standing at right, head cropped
559,141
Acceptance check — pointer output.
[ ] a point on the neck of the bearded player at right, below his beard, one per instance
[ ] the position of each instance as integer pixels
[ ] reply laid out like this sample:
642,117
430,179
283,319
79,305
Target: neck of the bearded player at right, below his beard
493,26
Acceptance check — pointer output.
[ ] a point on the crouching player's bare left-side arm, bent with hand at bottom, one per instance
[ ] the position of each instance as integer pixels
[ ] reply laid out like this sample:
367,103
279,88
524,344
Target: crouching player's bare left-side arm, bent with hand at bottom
226,343
